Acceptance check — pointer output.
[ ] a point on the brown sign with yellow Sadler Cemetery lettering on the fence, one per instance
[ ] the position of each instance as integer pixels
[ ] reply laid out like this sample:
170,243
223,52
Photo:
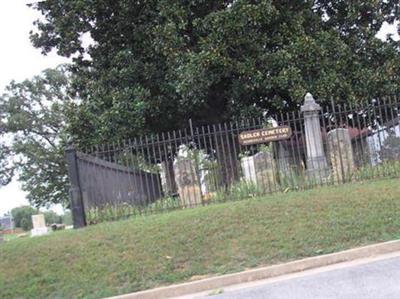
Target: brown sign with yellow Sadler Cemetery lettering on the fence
265,135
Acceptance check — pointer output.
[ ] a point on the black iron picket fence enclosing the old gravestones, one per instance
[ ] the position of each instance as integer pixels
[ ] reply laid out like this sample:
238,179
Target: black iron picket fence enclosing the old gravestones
205,164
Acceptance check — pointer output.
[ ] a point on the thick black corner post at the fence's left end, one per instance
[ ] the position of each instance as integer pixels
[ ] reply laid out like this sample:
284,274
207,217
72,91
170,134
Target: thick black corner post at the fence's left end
75,192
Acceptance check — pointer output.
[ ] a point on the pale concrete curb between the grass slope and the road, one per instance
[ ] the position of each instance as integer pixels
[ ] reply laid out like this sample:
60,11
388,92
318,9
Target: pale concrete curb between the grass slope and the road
265,272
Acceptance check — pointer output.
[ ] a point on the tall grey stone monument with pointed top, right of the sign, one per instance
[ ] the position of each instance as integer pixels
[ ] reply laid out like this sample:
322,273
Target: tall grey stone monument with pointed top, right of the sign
317,166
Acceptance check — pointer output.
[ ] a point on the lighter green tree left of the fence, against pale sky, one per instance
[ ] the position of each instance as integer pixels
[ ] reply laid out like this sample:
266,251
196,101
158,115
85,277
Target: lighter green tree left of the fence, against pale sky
33,121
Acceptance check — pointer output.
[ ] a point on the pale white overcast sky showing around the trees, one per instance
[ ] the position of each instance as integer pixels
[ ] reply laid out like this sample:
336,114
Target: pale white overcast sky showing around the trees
19,60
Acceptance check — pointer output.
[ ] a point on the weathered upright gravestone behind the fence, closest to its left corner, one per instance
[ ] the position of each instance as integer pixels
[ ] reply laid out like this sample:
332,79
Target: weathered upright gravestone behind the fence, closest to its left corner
187,182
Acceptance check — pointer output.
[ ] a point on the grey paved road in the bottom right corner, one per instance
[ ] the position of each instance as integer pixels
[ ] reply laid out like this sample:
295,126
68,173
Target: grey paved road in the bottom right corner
374,280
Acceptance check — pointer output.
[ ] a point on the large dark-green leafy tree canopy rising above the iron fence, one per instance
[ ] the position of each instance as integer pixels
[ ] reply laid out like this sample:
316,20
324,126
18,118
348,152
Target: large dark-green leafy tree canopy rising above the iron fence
154,64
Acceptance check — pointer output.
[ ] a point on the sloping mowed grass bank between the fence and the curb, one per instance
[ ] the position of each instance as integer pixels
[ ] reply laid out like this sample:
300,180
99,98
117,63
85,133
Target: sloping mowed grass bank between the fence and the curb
146,252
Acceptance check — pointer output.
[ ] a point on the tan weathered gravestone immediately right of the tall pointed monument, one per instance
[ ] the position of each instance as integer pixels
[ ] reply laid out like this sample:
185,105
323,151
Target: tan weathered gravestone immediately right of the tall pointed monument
340,154
